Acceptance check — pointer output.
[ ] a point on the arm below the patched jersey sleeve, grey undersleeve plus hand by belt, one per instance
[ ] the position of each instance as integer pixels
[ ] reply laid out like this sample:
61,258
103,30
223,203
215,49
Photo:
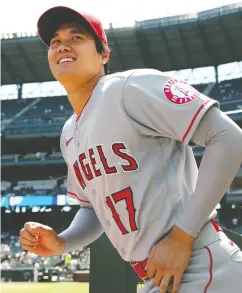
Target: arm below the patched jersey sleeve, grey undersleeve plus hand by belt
221,160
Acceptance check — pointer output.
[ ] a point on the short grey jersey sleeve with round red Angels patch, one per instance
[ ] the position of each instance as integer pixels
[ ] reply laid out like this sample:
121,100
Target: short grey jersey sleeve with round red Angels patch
161,106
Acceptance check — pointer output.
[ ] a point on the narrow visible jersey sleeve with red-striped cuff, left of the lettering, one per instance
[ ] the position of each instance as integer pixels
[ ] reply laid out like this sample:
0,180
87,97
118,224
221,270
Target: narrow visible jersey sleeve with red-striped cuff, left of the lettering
73,190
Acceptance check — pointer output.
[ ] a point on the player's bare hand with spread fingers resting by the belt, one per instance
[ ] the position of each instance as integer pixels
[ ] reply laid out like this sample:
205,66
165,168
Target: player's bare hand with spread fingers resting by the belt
169,258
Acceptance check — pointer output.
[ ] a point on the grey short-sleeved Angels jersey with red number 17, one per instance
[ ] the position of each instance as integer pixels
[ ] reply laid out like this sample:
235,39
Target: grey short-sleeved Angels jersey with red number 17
129,158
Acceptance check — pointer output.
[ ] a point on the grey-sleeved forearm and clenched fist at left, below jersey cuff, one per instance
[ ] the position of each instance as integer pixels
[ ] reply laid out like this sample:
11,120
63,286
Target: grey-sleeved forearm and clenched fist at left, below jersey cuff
44,241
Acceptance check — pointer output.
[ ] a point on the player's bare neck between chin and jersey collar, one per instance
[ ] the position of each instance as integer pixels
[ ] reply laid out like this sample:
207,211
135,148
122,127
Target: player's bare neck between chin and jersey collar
79,94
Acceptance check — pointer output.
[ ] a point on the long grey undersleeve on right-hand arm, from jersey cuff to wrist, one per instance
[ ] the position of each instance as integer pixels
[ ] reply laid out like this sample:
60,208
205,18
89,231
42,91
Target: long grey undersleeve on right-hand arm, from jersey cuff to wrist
222,139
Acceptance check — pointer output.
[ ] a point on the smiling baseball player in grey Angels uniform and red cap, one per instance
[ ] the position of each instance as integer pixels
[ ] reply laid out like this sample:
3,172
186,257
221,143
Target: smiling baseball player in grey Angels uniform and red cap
131,166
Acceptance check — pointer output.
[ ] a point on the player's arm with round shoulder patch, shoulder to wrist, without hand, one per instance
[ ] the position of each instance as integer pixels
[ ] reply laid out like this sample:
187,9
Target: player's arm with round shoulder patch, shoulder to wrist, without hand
159,106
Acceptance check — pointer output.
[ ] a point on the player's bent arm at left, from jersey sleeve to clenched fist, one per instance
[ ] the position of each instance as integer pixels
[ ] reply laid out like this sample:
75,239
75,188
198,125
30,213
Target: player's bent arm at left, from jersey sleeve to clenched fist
84,229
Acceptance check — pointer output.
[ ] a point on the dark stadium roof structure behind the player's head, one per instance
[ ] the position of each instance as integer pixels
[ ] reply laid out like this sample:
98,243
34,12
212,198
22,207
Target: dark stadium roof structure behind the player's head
208,38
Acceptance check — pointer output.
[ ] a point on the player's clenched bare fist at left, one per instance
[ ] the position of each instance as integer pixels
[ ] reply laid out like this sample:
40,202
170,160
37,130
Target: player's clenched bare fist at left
41,240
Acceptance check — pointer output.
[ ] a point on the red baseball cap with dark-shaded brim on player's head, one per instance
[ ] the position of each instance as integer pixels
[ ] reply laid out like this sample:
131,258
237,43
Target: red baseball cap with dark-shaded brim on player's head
54,17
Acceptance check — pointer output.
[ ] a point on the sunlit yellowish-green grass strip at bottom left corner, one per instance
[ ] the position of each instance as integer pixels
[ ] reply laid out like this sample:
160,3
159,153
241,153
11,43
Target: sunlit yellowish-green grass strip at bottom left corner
44,287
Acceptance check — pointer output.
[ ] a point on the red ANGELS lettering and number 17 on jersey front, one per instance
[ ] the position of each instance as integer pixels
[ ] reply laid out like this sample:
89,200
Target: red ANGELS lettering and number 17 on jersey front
88,162
